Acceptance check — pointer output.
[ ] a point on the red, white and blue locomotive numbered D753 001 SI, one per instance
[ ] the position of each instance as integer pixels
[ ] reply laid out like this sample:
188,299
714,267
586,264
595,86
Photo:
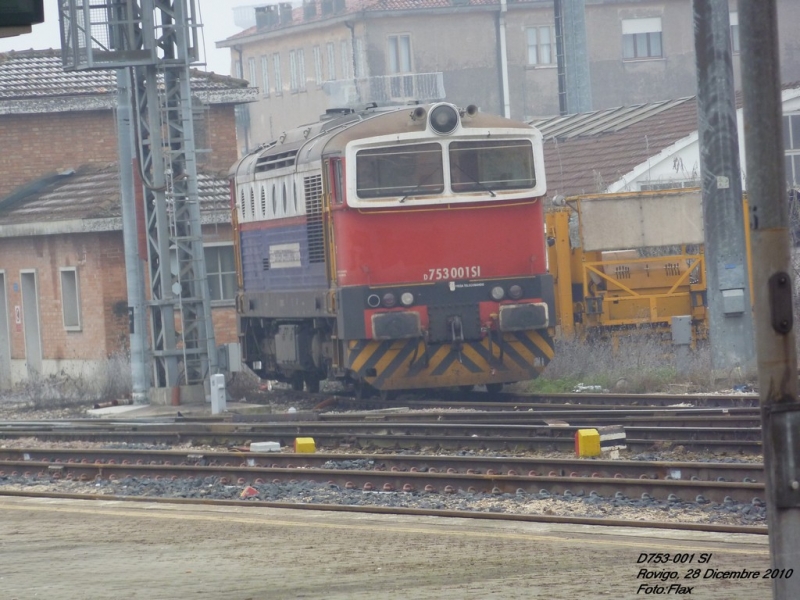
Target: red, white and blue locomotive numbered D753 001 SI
395,248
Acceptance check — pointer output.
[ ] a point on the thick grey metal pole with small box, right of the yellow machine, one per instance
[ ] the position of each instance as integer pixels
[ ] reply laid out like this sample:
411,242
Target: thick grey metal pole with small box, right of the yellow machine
730,311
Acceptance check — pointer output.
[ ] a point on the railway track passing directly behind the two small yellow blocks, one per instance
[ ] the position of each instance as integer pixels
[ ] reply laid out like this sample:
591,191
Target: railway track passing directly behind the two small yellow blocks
398,435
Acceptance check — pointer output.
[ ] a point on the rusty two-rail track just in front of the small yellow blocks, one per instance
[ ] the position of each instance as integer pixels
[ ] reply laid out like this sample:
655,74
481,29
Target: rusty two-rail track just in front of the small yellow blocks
675,482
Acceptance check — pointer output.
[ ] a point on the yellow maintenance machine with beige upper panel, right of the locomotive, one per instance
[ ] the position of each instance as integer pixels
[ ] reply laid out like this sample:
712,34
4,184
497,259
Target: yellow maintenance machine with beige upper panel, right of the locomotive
627,262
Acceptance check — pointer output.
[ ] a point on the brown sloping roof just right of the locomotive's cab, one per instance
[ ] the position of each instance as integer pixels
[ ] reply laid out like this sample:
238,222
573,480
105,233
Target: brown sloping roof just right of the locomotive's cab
585,153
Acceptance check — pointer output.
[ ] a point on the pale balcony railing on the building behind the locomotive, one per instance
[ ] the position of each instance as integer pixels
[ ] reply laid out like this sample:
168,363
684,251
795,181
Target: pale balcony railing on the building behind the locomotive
384,89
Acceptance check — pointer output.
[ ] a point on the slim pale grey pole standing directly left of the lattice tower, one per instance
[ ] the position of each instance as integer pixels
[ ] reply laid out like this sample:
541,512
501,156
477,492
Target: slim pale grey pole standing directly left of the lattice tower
133,265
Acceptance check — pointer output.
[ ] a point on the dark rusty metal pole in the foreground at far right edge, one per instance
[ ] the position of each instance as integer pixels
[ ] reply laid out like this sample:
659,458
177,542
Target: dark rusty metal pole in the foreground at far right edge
769,219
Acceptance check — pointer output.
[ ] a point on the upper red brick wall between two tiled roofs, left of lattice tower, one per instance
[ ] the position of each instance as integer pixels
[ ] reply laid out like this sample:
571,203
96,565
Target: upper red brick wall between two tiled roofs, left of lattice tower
35,145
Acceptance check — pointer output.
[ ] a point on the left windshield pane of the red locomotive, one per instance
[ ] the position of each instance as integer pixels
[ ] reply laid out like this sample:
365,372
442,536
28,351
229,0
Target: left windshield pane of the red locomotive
408,170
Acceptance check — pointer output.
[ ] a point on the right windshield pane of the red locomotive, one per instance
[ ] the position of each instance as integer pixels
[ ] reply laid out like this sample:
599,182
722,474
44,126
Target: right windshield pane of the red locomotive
491,165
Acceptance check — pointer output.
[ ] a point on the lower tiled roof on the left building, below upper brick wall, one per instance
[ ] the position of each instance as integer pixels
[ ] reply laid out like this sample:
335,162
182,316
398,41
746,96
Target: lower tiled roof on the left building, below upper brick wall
92,193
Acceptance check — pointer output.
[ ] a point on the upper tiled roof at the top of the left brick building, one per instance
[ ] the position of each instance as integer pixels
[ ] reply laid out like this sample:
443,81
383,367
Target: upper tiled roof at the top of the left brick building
39,75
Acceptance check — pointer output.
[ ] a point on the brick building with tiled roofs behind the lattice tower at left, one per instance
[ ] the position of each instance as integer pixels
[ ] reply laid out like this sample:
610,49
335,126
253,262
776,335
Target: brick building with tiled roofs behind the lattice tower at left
63,295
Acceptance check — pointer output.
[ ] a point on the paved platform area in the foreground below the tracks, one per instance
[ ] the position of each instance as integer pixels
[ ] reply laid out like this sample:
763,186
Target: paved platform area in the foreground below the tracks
96,550
